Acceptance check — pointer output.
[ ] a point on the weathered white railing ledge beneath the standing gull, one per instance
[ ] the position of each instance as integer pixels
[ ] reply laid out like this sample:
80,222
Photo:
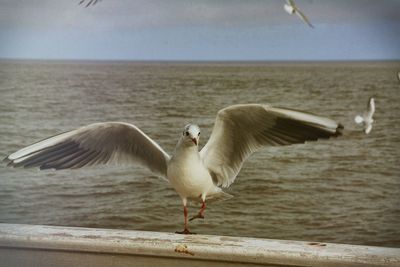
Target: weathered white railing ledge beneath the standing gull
36,245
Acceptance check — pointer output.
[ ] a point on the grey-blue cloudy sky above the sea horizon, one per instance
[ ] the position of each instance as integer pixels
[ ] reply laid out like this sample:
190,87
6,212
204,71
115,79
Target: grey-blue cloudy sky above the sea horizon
200,30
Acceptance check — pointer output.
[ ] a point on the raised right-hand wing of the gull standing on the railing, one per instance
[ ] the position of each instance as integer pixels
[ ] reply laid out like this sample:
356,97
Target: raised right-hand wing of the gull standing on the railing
240,130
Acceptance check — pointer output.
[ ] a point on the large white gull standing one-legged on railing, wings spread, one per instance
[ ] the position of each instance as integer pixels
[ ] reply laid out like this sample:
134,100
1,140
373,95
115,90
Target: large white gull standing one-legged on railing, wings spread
239,130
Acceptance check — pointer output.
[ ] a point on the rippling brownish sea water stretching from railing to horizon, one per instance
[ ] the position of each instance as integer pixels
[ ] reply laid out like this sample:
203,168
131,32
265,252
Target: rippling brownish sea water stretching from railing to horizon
344,190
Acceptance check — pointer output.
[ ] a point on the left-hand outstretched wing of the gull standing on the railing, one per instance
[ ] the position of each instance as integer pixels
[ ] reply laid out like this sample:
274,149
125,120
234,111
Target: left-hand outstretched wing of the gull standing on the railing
99,143
